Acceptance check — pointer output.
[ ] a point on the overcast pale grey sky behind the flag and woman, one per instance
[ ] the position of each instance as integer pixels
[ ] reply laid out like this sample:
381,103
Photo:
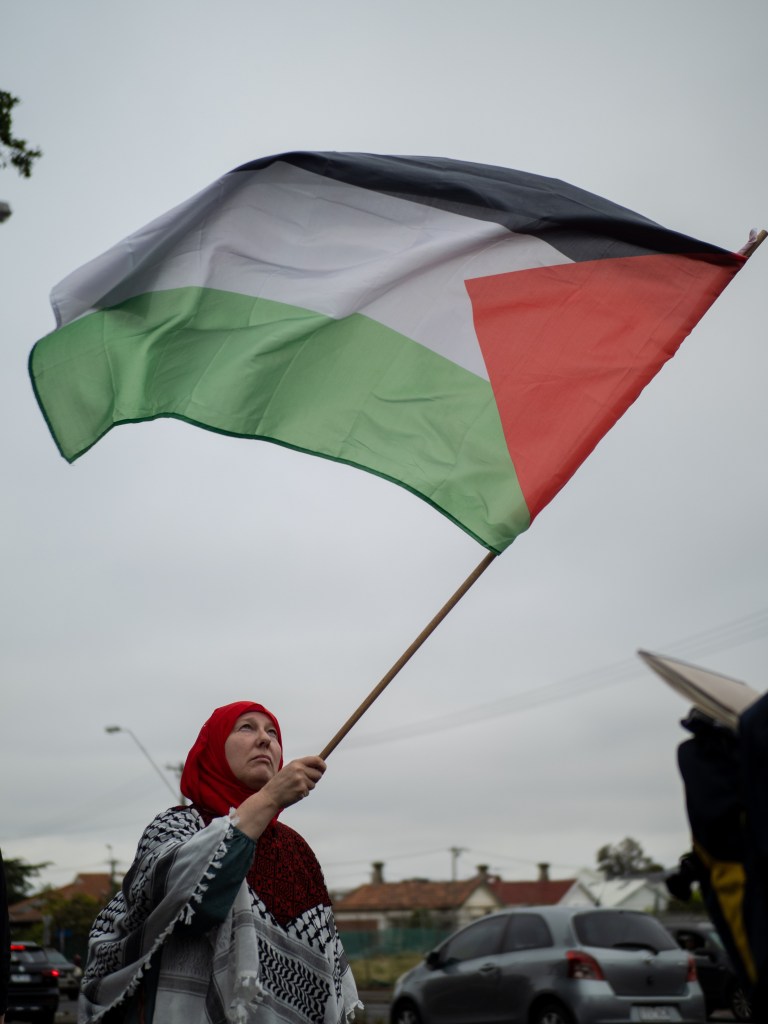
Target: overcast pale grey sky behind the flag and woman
172,571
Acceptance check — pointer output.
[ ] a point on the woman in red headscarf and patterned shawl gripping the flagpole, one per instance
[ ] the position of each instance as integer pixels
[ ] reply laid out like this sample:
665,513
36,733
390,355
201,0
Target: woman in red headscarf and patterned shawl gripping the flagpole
225,915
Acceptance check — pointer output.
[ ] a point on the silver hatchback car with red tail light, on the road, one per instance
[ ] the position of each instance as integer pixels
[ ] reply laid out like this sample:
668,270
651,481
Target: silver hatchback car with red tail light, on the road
553,965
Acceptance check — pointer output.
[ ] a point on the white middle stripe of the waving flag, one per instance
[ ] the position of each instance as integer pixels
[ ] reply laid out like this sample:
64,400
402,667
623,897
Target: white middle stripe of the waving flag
295,237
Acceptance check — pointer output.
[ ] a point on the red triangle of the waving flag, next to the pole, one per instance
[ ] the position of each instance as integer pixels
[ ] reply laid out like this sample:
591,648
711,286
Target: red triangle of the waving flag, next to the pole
570,348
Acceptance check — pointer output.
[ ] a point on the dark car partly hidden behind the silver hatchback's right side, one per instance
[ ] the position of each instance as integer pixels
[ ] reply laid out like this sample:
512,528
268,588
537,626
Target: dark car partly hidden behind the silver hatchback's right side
719,983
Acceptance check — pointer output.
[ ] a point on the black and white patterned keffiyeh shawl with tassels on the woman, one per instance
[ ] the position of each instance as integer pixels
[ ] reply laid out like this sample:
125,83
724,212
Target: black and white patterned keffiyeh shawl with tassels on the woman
249,969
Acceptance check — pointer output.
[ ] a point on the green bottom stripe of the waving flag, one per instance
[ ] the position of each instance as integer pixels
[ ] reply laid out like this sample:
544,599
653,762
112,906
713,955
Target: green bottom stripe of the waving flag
353,391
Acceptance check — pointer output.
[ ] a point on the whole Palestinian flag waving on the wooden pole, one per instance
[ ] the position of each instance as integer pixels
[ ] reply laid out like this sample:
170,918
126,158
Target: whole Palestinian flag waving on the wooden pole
468,332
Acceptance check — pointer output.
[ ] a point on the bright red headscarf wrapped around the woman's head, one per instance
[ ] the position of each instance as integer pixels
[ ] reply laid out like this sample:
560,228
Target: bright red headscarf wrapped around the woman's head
207,780
